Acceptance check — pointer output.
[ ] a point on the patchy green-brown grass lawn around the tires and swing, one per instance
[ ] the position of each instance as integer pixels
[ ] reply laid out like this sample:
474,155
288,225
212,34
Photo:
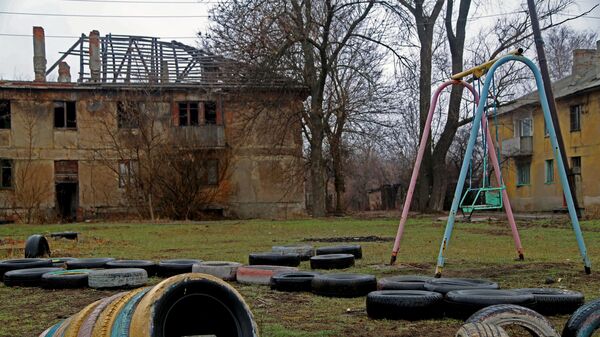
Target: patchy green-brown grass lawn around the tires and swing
482,250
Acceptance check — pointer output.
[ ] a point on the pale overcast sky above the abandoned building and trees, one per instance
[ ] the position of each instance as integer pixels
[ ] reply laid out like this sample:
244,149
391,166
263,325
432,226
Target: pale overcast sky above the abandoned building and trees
188,17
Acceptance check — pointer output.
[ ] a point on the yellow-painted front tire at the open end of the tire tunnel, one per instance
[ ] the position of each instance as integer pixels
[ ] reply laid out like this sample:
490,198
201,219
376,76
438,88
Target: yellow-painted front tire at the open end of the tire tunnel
192,304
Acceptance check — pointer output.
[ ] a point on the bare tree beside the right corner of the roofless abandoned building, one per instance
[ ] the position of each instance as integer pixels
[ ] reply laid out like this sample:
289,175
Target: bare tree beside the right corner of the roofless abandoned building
298,39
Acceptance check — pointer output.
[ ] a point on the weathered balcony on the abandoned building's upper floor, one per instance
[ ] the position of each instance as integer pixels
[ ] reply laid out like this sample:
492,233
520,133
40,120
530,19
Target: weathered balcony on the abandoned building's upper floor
199,136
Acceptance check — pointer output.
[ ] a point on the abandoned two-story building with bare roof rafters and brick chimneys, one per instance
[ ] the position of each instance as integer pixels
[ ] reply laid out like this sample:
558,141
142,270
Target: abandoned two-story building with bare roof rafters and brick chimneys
184,119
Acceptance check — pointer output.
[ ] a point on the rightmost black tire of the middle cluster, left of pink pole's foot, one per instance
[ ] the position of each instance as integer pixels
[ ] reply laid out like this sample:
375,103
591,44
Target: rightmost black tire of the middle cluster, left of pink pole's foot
343,285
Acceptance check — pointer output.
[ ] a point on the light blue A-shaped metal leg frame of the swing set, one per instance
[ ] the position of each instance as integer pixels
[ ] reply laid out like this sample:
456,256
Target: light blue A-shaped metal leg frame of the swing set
469,152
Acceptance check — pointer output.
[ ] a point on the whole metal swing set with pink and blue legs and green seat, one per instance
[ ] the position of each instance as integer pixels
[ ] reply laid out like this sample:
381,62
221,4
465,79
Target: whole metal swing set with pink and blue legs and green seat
487,197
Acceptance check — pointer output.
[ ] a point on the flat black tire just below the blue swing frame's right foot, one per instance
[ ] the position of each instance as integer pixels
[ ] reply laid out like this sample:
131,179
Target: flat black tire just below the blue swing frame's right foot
552,301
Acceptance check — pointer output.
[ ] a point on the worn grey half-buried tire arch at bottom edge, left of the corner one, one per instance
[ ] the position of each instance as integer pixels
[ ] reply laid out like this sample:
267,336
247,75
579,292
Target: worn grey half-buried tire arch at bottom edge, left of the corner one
508,314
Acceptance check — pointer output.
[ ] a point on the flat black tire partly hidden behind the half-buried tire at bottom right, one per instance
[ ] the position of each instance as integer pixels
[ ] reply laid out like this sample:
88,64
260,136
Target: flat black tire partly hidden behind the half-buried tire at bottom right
463,303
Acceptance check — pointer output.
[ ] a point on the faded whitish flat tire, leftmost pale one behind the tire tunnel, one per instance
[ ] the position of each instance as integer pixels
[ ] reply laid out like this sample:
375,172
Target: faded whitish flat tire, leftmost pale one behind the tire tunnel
118,278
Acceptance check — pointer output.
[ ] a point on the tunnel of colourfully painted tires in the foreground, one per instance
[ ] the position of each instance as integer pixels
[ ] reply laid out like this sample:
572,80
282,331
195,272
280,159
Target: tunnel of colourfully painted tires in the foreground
190,304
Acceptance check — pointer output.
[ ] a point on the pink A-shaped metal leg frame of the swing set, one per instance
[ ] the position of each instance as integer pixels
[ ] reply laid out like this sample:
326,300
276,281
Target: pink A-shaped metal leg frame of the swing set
417,167
